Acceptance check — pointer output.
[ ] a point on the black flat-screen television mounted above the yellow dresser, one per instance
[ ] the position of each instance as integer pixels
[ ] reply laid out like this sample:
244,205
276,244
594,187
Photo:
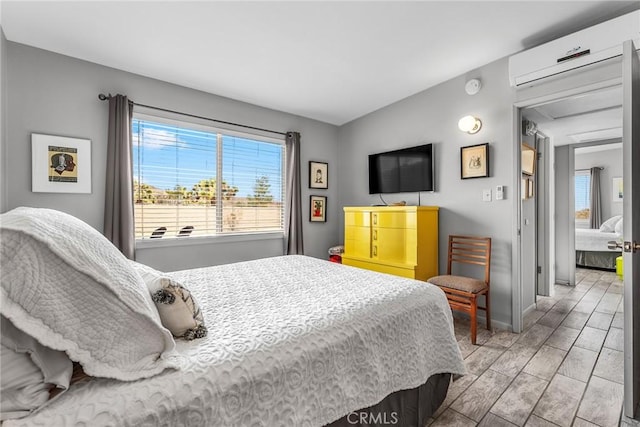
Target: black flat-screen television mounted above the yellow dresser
402,171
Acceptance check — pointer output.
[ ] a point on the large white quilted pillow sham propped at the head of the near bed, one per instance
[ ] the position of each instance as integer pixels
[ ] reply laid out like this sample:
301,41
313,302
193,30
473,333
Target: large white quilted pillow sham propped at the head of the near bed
69,288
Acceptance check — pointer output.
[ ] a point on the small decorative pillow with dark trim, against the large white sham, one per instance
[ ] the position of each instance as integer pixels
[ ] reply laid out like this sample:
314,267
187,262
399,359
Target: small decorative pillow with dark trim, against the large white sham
179,312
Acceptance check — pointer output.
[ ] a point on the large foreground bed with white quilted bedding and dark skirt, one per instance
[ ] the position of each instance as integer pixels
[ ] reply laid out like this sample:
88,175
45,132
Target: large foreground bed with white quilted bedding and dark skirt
291,340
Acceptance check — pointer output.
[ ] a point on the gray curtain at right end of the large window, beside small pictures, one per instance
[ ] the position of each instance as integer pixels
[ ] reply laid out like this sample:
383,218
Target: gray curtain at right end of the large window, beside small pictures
293,206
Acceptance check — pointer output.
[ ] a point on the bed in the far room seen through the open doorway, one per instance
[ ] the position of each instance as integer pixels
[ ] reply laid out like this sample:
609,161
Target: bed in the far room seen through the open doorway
591,248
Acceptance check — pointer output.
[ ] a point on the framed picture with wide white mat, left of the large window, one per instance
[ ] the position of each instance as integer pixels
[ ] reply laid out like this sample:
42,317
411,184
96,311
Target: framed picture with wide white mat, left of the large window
60,164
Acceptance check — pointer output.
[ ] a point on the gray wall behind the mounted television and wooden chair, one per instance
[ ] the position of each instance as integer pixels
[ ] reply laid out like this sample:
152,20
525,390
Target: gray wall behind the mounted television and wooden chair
432,116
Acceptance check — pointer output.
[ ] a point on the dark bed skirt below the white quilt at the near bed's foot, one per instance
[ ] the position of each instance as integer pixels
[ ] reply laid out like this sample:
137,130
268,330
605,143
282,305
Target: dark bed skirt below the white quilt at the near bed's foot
404,408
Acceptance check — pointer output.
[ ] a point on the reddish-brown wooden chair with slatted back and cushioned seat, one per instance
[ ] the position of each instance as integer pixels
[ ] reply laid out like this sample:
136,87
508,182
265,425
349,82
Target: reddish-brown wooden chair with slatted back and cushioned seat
463,291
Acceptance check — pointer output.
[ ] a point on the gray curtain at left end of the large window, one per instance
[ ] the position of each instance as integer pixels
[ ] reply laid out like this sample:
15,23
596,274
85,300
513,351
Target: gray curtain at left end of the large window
118,206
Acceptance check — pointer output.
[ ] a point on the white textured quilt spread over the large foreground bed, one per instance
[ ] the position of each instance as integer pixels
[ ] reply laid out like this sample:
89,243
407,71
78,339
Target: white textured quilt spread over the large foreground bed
293,341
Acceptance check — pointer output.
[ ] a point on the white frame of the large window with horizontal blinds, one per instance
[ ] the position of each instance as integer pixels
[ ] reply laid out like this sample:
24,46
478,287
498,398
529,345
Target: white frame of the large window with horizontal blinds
172,119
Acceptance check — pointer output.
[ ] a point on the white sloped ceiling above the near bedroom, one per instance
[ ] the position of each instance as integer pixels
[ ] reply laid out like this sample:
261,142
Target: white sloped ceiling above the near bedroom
332,61
